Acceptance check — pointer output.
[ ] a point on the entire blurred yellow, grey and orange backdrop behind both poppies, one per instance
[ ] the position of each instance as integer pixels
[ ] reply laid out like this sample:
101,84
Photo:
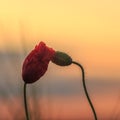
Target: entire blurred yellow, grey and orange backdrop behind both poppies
89,31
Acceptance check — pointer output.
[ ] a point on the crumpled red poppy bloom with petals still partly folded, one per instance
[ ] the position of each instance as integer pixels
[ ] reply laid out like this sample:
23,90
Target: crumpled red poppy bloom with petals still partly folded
36,63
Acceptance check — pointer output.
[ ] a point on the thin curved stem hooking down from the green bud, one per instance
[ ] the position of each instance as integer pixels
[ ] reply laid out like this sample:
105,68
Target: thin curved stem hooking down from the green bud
85,88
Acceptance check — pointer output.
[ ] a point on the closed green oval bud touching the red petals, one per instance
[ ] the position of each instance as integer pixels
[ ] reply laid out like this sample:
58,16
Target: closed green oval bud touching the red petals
61,59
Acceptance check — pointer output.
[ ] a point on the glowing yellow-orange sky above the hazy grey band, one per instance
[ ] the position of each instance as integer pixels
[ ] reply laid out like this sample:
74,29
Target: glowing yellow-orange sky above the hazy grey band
88,30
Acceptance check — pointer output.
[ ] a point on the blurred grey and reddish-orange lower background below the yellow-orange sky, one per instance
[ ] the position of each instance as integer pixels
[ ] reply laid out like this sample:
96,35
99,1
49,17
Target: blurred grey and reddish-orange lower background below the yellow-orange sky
54,97
